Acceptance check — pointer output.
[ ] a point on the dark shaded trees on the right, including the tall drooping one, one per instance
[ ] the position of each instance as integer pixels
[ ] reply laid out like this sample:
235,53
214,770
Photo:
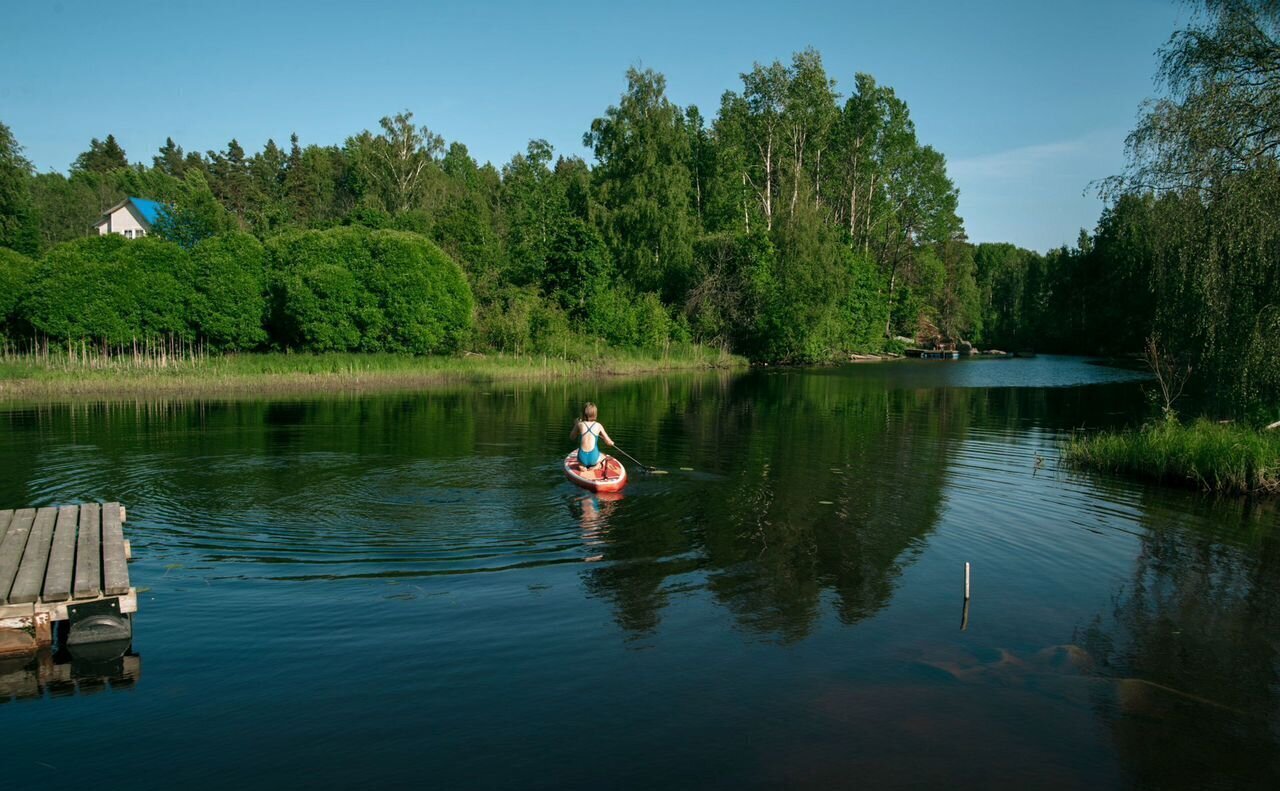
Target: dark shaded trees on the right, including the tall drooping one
1187,253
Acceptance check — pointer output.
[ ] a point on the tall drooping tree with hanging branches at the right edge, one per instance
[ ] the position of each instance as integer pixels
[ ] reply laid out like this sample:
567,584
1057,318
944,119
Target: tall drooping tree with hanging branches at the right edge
1208,148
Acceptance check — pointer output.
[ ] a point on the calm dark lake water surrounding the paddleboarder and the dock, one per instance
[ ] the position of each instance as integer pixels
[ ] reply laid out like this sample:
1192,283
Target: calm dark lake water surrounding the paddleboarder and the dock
348,592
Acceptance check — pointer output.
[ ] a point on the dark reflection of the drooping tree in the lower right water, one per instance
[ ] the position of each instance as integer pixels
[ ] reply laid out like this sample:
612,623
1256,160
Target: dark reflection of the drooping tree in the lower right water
1195,635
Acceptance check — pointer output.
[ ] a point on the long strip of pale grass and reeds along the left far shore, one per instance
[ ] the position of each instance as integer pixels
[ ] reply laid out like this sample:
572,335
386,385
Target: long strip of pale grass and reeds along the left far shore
62,373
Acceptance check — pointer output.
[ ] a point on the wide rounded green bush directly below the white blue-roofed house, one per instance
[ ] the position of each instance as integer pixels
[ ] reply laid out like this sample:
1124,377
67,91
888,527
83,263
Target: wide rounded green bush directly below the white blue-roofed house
112,291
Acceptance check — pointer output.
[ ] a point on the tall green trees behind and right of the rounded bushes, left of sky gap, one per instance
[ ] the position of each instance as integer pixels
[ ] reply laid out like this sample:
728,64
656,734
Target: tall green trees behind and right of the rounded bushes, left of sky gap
796,226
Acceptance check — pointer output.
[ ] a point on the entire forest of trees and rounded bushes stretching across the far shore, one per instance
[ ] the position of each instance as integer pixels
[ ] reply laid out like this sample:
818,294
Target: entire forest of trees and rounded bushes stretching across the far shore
806,221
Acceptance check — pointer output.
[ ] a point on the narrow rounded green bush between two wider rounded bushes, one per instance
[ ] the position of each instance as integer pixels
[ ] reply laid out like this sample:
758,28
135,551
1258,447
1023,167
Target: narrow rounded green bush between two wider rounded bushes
230,303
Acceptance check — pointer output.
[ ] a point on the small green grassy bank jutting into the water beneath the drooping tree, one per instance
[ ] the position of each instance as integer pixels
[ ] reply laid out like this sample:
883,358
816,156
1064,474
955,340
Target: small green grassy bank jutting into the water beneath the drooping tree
1215,458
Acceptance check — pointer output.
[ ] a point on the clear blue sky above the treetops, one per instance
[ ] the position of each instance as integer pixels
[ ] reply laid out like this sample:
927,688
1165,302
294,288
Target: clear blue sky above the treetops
1030,100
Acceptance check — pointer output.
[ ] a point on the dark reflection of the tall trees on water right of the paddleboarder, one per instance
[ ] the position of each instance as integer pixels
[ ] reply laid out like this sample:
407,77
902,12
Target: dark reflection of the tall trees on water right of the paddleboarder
831,487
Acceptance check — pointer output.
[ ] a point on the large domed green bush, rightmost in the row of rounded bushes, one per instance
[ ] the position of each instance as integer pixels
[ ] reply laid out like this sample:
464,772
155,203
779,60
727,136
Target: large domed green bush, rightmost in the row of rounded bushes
350,289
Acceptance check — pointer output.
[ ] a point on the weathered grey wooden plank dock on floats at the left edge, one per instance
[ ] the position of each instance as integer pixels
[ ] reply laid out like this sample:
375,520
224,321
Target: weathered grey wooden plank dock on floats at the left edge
65,564
